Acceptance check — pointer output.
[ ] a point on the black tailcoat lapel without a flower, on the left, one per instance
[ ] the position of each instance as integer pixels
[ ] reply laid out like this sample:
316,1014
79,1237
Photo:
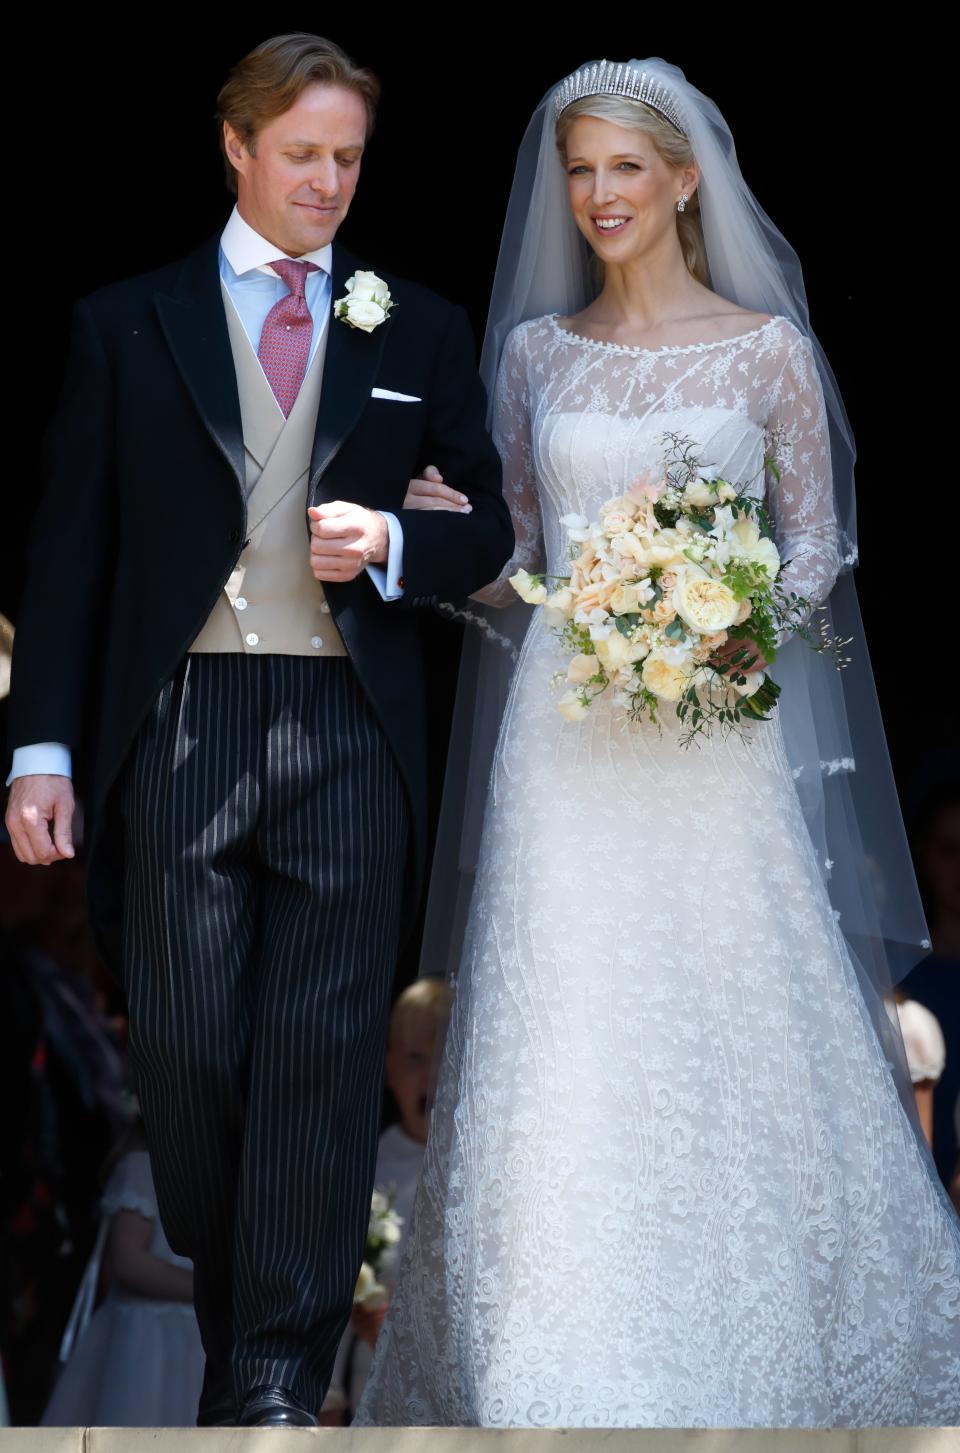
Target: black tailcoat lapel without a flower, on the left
195,326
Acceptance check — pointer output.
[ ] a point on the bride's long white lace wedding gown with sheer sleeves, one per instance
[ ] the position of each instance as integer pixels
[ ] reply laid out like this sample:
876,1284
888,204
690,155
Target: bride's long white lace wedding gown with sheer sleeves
669,1178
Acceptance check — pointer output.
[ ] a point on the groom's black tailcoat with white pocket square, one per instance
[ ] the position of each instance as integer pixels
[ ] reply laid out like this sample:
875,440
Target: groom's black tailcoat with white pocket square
145,518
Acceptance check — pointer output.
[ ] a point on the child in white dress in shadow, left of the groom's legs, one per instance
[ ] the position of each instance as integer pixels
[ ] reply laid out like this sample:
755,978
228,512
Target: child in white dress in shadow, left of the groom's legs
139,1362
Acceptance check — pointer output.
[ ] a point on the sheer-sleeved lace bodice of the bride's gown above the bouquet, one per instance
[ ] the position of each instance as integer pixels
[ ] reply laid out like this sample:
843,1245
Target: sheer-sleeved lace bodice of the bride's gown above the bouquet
577,421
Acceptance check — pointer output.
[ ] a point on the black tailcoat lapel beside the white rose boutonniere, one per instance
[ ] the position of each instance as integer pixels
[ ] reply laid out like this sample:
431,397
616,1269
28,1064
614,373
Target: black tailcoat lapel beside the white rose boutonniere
354,358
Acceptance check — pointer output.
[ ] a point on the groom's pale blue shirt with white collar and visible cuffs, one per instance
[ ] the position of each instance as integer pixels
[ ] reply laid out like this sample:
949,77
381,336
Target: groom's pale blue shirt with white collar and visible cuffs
253,288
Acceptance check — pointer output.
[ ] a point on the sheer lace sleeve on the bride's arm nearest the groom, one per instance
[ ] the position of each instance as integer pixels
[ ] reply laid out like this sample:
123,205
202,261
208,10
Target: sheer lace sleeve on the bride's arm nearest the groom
512,437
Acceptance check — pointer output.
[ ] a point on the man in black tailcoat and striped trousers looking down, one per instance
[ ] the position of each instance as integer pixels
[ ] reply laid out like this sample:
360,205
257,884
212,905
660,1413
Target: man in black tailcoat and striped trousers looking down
220,628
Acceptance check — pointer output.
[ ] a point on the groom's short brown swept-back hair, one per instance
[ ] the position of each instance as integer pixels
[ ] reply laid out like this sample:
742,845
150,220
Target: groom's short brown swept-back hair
272,78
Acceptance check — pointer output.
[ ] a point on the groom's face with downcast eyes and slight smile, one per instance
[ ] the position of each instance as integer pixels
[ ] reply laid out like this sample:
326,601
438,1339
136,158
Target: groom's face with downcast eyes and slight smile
297,185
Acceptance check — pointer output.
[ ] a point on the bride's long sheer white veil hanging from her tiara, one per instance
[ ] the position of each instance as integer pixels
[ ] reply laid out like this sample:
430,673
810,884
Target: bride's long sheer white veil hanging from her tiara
831,719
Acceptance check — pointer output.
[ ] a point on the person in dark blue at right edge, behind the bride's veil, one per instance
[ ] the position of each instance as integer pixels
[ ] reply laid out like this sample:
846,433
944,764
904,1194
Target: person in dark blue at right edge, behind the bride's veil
936,982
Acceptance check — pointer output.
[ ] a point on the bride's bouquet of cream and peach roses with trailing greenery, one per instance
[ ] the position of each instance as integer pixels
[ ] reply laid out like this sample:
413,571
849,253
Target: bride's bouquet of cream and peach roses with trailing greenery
662,591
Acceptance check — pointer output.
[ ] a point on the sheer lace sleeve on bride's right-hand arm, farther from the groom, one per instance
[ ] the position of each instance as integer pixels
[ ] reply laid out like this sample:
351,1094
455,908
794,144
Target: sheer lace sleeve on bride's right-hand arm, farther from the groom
802,499
